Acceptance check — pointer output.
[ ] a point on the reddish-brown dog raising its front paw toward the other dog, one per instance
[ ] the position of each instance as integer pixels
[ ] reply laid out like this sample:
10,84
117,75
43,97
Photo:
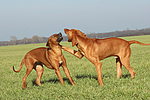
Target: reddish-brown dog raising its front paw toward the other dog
98,49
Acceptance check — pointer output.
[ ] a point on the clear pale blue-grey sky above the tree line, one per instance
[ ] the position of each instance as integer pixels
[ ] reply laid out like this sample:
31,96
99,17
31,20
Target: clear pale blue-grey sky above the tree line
26,18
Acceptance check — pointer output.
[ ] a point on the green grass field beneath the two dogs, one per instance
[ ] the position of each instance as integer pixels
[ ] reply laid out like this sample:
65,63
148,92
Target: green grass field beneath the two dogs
83,73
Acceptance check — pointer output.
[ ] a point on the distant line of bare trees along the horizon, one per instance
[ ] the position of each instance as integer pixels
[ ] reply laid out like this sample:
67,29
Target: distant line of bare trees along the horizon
36,39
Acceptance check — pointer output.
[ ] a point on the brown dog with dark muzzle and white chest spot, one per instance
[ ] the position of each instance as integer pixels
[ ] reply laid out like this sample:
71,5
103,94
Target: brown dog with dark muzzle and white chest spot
51,57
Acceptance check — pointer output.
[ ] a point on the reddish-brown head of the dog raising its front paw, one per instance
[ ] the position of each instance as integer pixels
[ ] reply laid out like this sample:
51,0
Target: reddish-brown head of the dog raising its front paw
72,35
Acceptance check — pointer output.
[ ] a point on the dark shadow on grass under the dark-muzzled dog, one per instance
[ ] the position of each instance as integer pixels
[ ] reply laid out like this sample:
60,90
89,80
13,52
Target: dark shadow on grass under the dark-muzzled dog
53,80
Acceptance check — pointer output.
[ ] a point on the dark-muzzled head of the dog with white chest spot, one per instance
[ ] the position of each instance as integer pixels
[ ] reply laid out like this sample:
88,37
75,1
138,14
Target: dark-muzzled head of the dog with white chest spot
54,39
